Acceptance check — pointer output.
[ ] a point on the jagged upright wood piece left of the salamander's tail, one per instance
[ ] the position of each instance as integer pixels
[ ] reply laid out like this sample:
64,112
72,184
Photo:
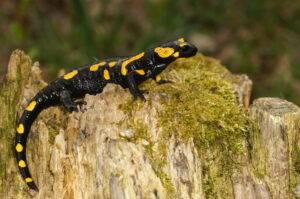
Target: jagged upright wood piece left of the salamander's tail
21,73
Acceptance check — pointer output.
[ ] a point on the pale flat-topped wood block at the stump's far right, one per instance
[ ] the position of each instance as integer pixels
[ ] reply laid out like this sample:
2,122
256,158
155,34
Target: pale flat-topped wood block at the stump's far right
276,150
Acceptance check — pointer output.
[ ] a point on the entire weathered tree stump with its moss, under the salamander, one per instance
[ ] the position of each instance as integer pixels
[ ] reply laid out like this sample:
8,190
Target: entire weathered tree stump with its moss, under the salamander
191,139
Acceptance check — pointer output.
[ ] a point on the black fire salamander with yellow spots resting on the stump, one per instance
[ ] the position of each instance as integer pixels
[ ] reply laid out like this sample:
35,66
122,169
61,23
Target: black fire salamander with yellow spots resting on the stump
128,72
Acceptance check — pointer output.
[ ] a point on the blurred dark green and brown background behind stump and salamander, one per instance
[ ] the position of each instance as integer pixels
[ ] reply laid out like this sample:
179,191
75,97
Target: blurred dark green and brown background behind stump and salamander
259,38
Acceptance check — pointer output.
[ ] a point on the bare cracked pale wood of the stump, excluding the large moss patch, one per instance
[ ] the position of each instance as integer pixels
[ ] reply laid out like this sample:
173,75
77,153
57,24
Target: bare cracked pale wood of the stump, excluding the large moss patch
88,155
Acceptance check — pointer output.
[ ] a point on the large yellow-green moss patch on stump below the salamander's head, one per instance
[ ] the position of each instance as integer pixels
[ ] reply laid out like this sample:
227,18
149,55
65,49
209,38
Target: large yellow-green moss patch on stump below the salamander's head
200,105
